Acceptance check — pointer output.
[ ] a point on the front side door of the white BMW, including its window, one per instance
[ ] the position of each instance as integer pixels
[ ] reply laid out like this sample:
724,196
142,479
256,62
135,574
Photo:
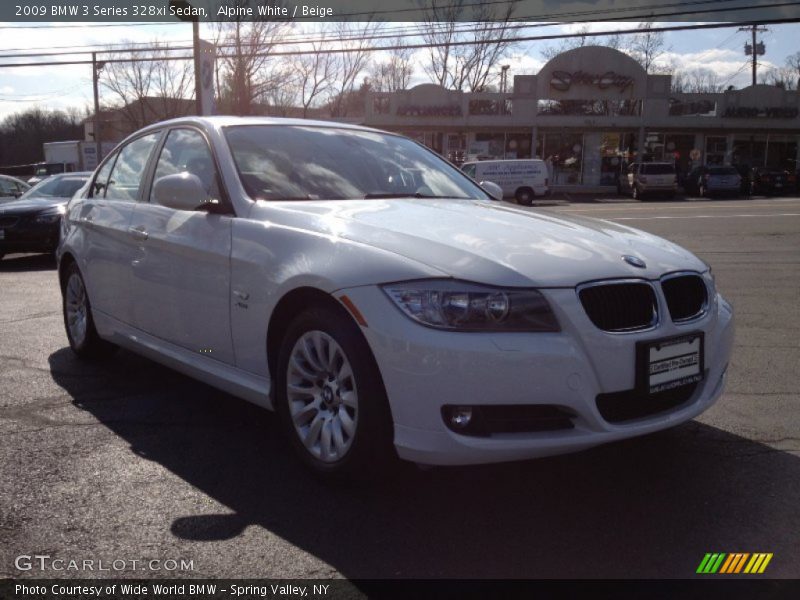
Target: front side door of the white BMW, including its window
181,269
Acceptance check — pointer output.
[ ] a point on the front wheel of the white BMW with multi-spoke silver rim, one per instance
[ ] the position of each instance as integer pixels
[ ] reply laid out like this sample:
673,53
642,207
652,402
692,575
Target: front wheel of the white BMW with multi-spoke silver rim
330,397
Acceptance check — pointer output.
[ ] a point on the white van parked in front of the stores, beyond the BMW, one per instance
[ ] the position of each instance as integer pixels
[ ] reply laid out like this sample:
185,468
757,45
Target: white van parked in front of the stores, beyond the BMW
522,179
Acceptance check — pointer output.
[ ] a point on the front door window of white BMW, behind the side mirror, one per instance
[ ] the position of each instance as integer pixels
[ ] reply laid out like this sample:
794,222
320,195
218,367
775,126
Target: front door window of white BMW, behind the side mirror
186,151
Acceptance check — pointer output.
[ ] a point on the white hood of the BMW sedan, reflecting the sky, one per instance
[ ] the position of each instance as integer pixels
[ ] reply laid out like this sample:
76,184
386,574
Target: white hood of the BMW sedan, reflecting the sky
495,243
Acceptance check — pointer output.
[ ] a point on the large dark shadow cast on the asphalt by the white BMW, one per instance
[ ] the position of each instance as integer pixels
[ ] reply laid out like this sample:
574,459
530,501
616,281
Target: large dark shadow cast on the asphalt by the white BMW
648,507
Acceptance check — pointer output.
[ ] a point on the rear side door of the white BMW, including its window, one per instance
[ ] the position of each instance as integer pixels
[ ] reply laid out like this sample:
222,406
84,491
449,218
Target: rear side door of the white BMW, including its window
104,219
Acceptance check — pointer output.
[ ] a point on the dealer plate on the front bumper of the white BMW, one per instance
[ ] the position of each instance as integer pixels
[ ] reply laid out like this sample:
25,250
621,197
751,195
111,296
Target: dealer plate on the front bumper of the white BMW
672,362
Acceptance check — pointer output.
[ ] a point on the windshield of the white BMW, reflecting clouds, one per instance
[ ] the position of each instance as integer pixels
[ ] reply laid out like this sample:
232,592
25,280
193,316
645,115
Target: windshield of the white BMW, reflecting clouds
280,162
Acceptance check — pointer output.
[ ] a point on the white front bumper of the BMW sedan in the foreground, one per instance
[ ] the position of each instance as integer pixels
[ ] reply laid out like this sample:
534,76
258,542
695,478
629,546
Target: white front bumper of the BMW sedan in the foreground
424,369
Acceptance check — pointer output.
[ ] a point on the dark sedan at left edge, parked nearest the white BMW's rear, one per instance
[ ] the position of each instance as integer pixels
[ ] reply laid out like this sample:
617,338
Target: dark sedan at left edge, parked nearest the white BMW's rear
31,223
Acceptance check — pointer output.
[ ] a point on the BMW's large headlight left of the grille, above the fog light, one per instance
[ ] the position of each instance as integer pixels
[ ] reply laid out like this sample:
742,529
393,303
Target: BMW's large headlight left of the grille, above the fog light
461,306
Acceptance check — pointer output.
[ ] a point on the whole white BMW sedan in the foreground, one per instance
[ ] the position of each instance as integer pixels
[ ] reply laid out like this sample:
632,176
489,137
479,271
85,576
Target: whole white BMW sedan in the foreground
381,301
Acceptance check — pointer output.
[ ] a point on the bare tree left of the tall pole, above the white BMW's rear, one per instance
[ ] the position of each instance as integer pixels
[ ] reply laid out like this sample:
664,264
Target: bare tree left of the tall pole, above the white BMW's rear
148,90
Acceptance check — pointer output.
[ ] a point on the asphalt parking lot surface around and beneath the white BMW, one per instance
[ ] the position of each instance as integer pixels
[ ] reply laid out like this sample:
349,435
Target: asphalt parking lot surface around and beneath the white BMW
125,459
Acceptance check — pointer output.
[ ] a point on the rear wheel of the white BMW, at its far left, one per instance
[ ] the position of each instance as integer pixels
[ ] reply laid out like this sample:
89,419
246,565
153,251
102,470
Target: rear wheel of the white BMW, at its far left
78,322
